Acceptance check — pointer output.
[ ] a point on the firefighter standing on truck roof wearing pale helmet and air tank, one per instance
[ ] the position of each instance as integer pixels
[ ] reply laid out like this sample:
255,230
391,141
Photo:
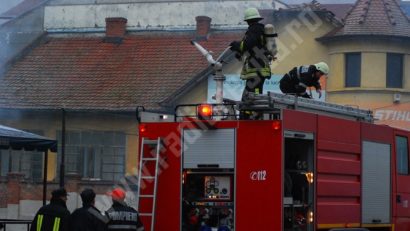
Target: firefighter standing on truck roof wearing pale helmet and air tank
256,67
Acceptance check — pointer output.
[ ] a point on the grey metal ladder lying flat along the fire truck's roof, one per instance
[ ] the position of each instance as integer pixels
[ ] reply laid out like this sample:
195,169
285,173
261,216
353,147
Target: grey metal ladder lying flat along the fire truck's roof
274,102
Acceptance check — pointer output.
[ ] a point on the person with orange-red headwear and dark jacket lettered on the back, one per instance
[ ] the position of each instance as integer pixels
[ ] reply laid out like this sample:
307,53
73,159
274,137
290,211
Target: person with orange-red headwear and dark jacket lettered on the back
121,216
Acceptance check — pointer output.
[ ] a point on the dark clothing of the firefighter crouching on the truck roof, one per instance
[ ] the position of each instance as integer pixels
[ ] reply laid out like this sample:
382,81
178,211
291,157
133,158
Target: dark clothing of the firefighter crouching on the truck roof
298,79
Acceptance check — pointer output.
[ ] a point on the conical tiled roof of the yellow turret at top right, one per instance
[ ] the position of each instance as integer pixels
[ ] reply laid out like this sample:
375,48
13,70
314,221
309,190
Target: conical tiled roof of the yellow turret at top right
375,17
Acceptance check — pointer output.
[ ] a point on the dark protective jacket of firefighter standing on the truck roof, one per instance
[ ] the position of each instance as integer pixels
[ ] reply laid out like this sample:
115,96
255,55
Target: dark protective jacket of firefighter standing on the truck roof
257,56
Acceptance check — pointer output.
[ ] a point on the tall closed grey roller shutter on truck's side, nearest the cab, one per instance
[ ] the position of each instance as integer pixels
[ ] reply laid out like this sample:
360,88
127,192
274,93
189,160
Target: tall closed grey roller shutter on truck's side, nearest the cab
376,183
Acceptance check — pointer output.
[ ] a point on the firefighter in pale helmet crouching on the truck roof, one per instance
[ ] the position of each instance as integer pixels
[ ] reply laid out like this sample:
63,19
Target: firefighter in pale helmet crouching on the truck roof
299,78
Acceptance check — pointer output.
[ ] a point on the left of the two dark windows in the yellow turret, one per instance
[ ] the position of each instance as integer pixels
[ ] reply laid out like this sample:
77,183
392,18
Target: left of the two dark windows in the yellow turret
353,69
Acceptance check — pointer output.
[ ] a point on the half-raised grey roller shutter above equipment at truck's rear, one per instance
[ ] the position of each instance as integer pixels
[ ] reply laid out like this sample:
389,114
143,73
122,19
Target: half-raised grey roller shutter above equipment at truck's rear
209,148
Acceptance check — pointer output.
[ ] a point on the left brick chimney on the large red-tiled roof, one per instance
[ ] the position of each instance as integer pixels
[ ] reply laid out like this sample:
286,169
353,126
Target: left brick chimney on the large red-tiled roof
115,29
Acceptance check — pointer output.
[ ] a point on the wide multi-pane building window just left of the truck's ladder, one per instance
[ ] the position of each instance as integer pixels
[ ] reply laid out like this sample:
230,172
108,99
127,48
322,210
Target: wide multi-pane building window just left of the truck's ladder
95,154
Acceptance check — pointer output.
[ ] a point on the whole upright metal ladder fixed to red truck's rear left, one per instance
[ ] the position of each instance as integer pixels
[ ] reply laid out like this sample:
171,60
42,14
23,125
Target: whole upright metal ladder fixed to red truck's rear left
148,178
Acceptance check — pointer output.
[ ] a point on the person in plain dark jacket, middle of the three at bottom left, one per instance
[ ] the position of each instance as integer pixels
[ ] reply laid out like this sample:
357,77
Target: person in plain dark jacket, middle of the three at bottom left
88,218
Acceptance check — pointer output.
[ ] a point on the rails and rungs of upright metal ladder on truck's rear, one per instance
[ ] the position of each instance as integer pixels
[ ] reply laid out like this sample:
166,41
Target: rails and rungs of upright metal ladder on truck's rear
153,177
